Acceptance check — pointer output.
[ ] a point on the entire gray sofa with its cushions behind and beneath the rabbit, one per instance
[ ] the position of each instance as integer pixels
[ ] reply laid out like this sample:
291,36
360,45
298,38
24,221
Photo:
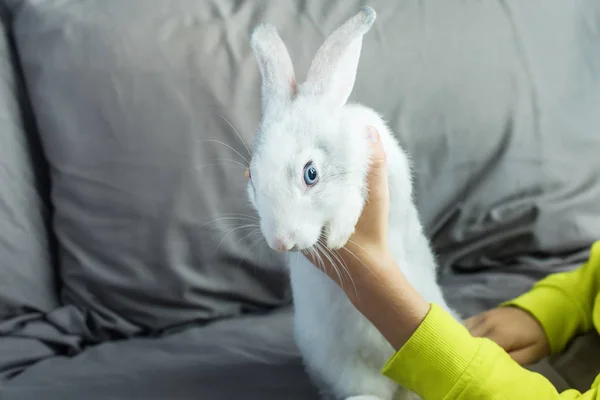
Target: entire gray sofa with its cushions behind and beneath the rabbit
129,265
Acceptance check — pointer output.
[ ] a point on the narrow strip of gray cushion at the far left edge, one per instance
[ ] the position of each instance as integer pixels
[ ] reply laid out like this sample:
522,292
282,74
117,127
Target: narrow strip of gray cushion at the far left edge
27,278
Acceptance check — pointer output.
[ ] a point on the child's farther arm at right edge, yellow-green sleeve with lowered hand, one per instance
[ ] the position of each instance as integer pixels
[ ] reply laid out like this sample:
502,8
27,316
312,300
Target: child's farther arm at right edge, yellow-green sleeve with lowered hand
544,320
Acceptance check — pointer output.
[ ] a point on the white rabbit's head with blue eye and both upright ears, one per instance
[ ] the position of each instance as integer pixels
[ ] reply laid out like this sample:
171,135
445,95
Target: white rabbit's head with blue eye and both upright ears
308,167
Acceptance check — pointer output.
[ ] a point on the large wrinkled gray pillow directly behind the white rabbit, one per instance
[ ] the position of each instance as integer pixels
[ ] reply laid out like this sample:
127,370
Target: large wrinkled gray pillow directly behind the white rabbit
496,102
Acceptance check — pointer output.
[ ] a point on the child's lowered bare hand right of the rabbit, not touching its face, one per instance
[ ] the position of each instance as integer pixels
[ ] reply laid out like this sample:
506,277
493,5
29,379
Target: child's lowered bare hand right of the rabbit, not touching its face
515,330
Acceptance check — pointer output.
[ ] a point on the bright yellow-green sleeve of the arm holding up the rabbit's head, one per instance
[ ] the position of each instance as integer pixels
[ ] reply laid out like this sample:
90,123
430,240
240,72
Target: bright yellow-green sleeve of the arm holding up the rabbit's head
442,361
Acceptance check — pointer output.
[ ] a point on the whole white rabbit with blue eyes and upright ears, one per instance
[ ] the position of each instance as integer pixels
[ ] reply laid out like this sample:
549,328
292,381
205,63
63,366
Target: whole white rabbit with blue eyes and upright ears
307,181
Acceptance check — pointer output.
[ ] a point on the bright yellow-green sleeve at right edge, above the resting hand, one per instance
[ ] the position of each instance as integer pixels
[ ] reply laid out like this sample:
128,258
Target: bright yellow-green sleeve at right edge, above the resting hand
563,303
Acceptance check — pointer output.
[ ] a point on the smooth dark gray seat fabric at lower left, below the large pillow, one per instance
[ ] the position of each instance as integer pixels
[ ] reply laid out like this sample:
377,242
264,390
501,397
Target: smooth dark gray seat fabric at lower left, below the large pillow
253,358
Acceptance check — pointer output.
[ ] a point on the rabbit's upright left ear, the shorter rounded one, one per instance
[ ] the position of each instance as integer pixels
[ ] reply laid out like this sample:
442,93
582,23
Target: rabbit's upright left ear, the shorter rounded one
276,69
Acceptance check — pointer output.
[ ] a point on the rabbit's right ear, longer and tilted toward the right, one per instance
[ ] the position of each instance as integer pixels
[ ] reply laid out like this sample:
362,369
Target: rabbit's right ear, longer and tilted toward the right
333,70
